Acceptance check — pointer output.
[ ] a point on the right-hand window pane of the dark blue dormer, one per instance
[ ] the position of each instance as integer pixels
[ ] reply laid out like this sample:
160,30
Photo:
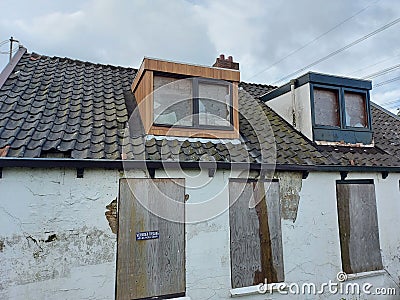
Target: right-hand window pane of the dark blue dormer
356,114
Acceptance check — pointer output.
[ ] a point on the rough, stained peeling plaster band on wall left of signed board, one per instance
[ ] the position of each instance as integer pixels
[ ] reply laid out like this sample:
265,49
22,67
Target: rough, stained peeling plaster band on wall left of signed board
32,258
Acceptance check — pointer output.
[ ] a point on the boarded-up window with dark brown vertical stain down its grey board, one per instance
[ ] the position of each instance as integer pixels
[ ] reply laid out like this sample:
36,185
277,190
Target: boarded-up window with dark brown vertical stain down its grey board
256,239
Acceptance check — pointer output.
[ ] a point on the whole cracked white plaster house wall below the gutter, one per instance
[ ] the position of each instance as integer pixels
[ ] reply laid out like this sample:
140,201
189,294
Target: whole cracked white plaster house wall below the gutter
80,263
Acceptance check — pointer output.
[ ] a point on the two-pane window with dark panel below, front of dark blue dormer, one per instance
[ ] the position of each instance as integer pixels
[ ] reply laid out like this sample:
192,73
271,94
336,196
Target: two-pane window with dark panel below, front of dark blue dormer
341,114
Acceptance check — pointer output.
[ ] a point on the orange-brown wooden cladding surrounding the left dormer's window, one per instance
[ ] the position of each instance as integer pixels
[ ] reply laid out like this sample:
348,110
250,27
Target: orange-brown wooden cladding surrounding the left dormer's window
143,87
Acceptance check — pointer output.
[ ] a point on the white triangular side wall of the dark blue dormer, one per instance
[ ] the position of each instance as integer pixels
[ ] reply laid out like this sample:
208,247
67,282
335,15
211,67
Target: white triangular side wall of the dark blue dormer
283,106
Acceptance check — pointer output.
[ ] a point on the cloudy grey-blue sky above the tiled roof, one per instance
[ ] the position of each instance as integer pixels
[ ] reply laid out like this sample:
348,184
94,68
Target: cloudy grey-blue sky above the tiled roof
271,40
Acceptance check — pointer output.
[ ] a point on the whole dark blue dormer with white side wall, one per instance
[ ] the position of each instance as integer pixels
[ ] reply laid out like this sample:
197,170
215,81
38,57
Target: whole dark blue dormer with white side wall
327,108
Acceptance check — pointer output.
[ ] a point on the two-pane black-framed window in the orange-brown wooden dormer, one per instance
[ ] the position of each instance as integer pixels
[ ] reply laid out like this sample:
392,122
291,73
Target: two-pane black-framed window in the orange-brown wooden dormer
192,102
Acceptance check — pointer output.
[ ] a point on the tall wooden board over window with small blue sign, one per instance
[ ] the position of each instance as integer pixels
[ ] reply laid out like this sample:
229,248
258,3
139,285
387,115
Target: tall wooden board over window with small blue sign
151,249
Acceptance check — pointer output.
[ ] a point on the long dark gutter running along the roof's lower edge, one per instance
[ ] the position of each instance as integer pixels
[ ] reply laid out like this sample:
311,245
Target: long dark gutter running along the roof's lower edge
8,162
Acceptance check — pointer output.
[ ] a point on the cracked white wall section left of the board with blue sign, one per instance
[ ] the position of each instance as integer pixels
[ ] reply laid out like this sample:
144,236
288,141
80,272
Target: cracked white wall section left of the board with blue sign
54,237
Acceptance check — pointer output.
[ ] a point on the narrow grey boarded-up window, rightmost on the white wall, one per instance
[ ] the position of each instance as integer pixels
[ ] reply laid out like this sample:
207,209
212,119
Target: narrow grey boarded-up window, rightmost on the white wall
358,226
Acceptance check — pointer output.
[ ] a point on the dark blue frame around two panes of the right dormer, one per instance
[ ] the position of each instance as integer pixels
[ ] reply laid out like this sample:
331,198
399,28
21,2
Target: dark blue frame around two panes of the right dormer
342,107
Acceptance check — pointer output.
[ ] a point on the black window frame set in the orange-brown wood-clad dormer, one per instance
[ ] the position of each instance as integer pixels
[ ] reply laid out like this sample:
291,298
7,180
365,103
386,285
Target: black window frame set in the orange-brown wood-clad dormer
196,81
